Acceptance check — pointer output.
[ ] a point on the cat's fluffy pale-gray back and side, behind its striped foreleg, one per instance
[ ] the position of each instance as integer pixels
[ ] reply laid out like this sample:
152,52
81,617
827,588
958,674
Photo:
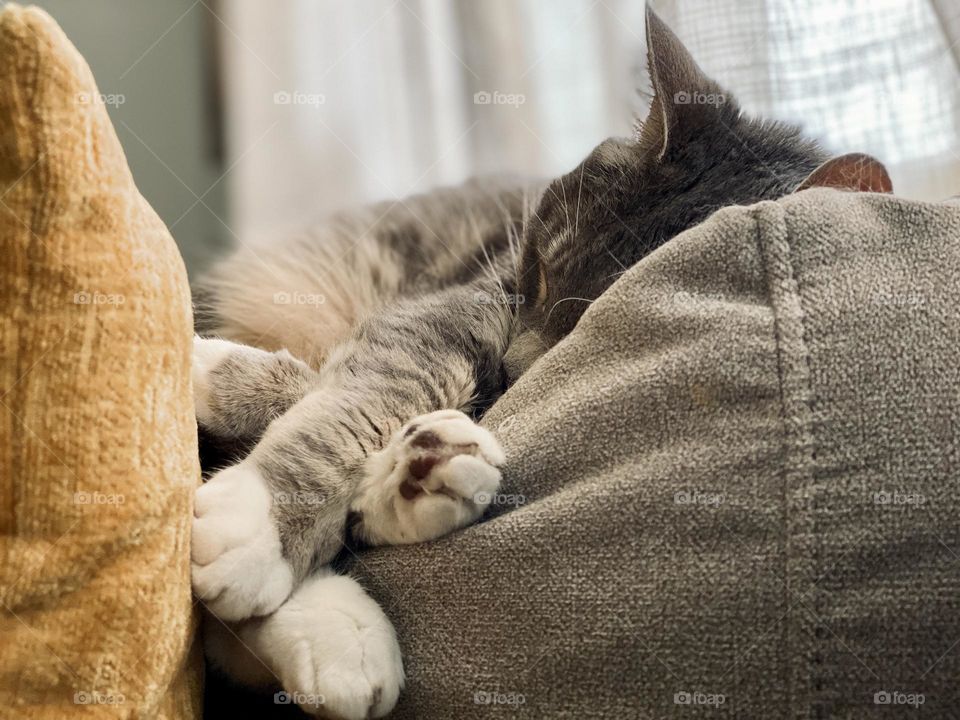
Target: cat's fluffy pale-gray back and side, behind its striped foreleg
307,291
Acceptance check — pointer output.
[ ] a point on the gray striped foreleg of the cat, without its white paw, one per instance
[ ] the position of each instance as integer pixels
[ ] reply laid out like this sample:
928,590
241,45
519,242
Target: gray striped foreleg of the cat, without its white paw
367,391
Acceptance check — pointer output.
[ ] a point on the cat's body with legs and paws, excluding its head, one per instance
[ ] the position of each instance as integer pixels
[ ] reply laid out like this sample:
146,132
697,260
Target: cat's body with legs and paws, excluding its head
393,312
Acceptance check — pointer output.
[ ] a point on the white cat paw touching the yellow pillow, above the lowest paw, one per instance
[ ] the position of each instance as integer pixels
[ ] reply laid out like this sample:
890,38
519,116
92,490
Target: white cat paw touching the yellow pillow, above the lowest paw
238,569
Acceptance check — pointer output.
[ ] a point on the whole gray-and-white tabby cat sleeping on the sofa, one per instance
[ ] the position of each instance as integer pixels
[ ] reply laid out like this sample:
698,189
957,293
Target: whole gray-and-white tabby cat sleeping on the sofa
352,360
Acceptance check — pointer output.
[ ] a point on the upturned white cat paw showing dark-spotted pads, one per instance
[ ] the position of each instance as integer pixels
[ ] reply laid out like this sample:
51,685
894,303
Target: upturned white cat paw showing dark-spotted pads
438,474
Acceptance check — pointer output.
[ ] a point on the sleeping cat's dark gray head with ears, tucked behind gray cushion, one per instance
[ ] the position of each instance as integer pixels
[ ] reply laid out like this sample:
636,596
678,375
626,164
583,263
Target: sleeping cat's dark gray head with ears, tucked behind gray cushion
694,153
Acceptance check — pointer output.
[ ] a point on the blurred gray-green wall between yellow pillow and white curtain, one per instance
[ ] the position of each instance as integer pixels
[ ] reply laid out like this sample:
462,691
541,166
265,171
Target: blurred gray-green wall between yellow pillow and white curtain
153,62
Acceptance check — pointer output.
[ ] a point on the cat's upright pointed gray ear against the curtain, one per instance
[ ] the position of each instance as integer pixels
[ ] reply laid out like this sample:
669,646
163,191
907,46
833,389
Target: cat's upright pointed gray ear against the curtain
684,98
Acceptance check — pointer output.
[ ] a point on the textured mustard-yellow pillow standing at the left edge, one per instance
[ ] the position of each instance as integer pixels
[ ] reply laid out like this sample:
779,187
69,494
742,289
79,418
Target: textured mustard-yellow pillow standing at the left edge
98,456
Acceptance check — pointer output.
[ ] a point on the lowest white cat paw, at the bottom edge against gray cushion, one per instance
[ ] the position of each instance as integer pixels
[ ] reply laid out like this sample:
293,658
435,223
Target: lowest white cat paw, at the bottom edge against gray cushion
333,649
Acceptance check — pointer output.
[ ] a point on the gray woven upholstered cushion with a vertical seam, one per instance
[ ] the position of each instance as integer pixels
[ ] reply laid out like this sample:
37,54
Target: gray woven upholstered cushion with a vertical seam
739,479
